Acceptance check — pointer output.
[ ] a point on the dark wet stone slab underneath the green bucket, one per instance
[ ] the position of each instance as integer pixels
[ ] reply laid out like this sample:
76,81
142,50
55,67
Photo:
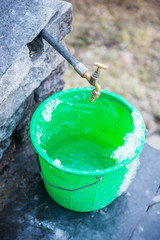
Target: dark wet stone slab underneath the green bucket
27,211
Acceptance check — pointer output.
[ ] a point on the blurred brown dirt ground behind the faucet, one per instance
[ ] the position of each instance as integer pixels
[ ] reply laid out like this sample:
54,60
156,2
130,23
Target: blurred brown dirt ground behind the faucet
125,35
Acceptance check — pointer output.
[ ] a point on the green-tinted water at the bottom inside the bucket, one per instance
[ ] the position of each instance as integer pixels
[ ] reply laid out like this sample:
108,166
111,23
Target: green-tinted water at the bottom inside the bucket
83,152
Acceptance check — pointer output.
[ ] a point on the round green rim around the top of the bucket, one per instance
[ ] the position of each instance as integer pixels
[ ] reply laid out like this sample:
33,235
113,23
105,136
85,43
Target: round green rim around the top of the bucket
49,160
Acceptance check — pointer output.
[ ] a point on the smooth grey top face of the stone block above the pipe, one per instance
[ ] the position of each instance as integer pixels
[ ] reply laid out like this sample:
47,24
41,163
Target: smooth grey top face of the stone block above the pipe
21,22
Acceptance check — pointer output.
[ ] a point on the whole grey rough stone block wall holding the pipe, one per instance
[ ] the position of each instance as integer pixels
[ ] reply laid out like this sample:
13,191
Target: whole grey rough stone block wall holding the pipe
29,63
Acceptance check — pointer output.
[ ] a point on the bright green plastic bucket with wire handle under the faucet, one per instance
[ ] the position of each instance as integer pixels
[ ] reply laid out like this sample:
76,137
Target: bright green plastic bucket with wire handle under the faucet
88,152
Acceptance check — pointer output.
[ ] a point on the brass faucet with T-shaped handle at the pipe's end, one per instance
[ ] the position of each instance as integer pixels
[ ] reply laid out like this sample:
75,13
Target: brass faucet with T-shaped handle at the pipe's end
93,80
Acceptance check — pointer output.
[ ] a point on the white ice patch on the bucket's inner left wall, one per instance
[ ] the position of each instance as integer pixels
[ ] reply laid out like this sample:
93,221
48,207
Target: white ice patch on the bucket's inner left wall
47,112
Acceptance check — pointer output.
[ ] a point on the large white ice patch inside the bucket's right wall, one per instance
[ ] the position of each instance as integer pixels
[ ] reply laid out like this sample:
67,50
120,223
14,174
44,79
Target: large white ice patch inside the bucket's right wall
131,140
